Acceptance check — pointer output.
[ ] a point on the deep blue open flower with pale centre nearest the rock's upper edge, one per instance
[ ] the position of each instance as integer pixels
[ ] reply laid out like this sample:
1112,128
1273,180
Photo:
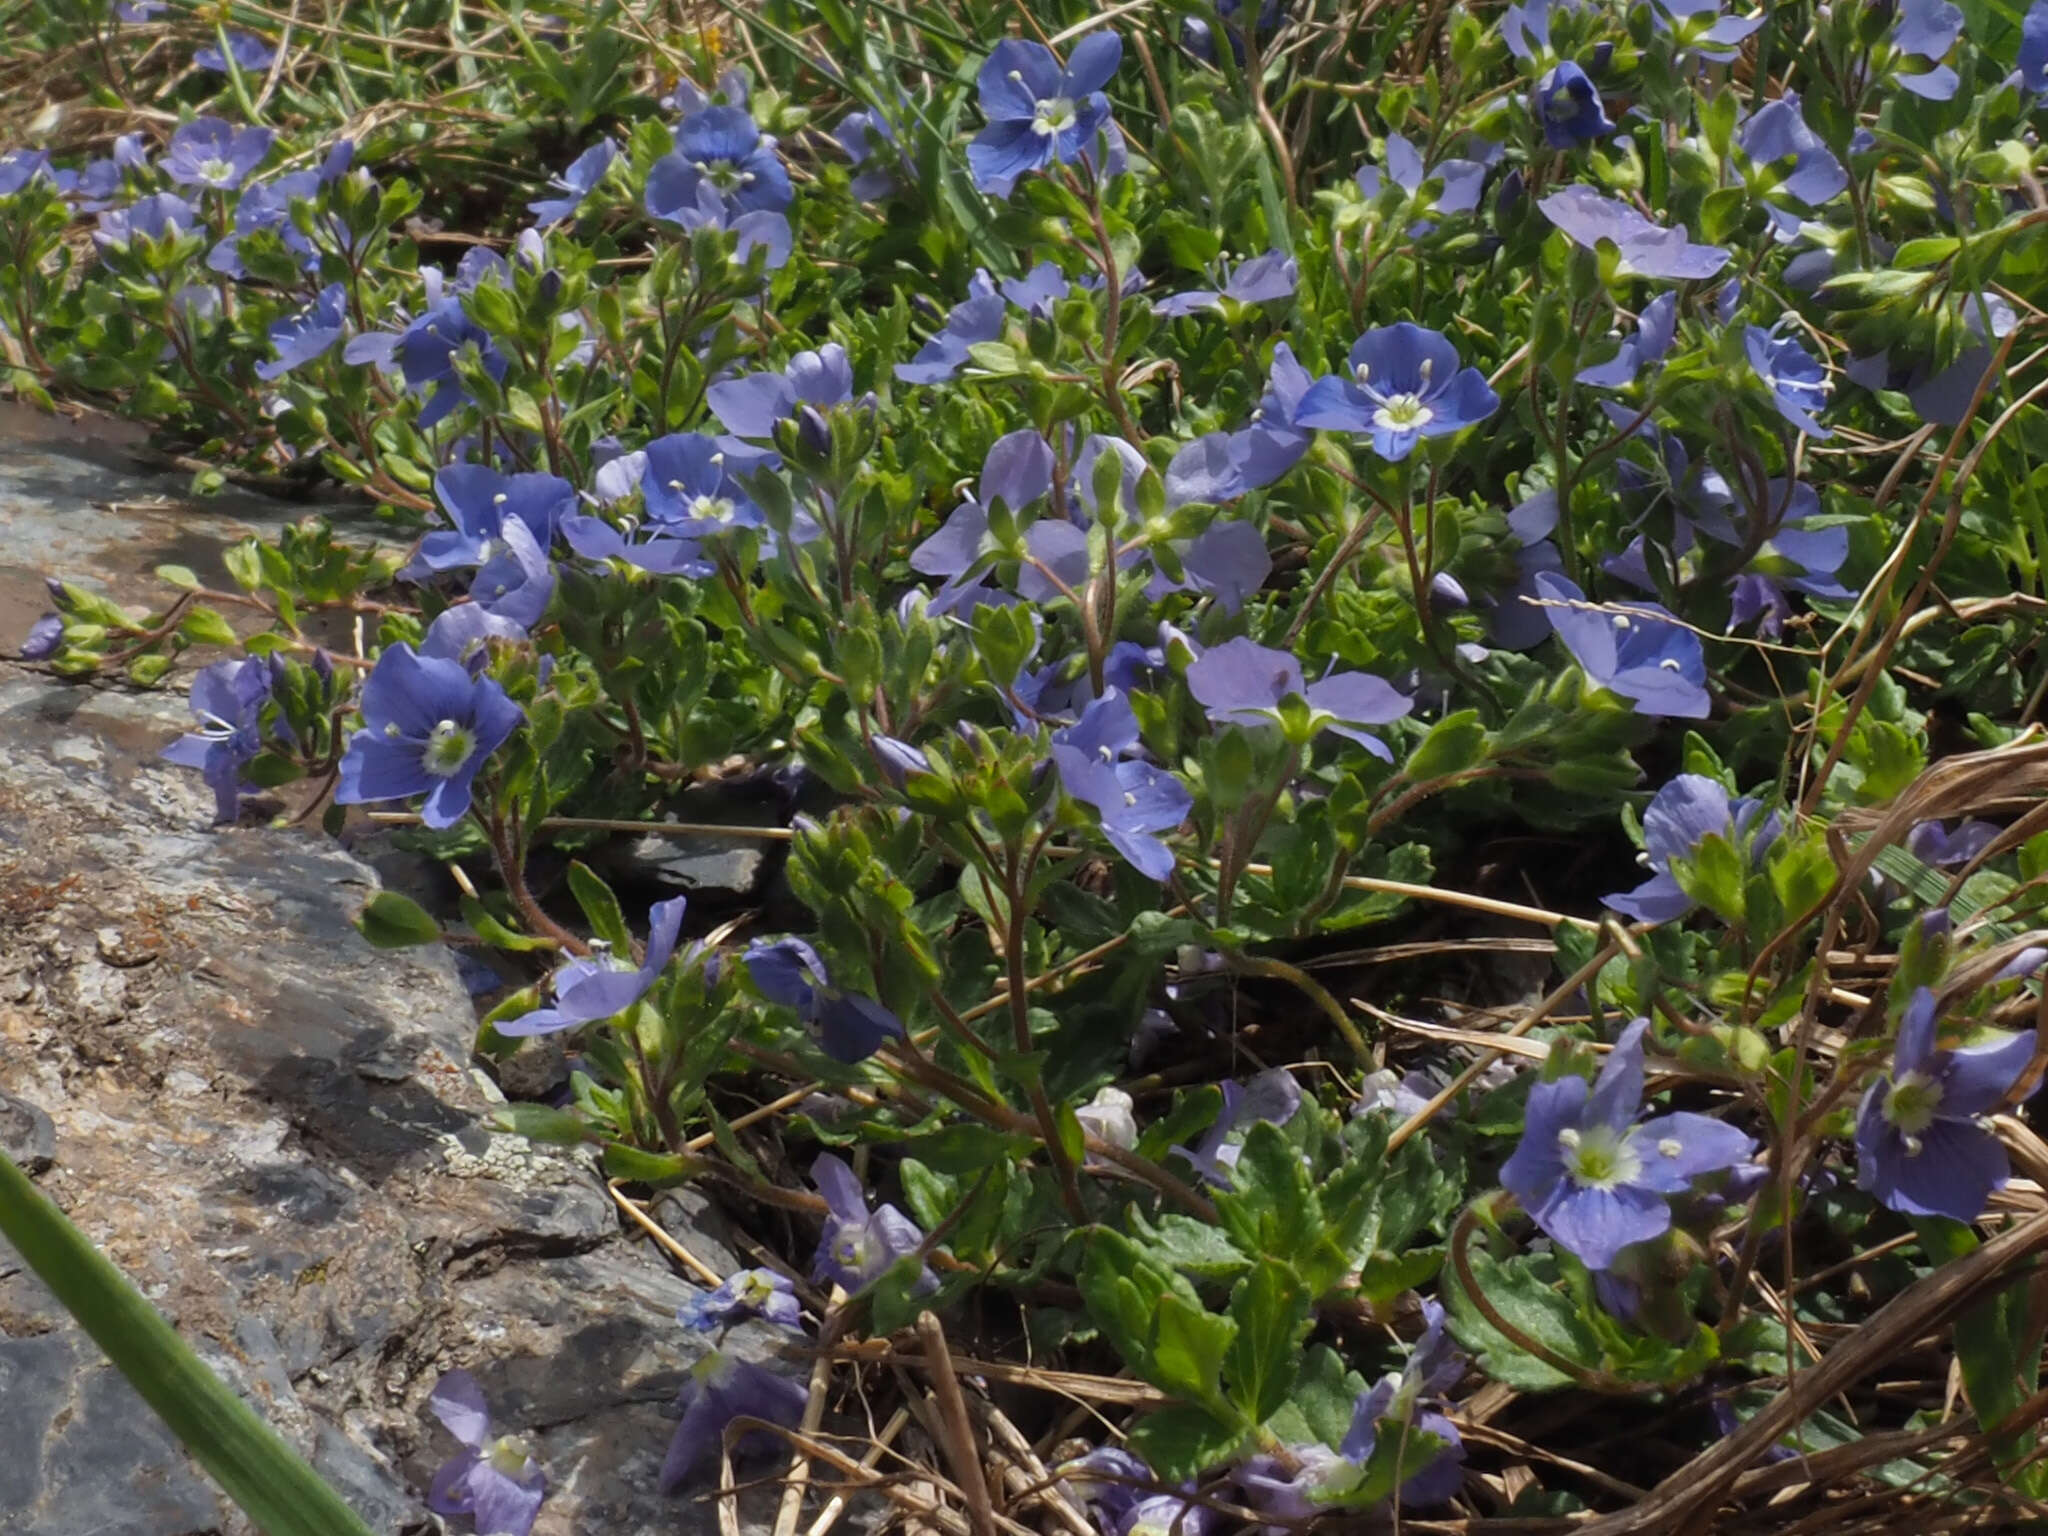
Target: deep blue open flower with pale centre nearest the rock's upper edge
427,730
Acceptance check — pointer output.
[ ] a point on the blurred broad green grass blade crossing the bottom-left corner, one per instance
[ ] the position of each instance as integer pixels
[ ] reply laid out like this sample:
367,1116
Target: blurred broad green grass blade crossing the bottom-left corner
259,1471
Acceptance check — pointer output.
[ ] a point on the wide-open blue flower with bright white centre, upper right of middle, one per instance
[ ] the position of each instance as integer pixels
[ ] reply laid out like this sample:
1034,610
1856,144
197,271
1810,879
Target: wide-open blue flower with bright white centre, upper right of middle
1406,386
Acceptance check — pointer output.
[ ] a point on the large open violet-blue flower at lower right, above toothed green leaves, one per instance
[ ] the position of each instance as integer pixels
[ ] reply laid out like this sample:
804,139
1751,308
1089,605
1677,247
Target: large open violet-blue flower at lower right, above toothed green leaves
1596,1181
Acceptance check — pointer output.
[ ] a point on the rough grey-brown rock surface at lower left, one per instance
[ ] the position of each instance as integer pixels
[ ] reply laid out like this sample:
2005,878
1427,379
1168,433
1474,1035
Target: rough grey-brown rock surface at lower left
275,1132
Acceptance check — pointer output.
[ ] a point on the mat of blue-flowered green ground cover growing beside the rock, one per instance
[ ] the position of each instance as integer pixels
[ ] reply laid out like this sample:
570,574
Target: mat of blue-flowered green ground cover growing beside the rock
1230,523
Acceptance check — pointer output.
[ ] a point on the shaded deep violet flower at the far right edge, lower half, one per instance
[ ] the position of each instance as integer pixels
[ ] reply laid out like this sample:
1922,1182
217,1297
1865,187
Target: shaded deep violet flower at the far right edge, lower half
1922,1144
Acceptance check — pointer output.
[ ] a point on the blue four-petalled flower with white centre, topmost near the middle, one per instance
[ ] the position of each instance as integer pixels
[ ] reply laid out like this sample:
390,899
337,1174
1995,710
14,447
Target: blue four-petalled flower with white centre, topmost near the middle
1039,114
